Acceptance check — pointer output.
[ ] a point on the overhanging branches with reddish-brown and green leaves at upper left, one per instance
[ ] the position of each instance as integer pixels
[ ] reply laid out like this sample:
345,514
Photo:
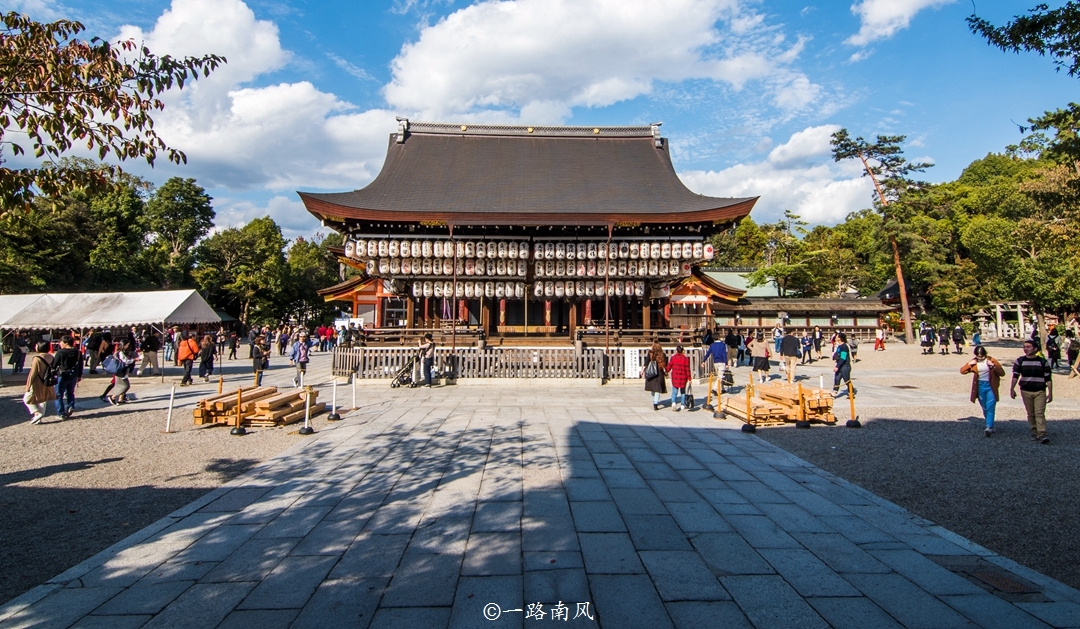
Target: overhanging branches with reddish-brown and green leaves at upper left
62,92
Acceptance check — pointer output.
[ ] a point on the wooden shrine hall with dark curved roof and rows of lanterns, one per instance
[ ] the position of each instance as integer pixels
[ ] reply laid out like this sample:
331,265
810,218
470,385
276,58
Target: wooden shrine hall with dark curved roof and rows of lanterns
525,234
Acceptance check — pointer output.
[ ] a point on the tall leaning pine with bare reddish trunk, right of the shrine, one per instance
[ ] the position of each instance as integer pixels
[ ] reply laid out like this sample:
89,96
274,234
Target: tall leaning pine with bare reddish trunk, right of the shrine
885,164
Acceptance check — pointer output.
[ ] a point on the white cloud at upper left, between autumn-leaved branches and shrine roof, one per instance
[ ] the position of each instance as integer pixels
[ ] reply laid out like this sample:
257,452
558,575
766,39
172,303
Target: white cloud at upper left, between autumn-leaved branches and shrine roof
276,138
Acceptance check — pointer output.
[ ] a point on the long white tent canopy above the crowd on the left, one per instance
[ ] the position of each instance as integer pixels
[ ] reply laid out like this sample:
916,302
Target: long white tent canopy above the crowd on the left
79,311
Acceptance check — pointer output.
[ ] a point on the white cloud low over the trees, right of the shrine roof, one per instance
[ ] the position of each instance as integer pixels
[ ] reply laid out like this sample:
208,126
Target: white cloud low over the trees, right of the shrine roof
799,176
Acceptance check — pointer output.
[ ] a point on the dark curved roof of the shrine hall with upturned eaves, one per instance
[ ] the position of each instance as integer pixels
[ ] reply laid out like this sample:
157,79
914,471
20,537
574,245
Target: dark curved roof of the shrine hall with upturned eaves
496,175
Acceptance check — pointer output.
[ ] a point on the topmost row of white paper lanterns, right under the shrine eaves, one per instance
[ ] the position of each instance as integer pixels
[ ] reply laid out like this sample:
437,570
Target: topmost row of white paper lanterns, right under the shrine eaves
552,251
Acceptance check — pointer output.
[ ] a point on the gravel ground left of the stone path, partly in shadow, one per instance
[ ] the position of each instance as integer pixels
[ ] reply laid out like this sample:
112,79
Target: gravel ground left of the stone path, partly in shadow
72,489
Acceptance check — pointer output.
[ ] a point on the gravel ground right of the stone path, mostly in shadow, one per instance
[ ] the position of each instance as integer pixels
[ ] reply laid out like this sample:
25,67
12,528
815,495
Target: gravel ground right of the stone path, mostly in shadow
1007,493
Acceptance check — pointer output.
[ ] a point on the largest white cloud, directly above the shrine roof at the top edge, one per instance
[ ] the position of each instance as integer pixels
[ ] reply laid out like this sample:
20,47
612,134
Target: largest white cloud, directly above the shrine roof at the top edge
546,57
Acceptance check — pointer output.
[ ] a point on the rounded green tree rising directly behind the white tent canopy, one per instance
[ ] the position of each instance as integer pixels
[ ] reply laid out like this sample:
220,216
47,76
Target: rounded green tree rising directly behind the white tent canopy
179,216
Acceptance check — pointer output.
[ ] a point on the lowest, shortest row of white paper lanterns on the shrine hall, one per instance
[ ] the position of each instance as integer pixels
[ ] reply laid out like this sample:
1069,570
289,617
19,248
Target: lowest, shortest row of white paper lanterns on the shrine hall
518,290
